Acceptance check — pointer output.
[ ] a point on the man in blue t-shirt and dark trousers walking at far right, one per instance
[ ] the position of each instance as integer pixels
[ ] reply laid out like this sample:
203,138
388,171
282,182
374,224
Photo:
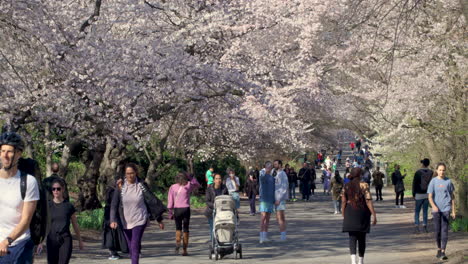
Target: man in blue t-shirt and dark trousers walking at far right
441,193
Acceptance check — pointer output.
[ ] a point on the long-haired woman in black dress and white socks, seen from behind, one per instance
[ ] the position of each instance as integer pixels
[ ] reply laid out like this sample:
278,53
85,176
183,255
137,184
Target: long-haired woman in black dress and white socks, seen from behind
357,209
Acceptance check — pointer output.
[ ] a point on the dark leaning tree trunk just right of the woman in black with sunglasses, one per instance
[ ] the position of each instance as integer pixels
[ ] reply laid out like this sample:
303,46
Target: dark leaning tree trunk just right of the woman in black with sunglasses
88,197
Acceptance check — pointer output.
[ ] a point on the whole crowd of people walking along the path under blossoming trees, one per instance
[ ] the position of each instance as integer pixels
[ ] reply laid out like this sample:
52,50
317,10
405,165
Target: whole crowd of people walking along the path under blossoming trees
130,205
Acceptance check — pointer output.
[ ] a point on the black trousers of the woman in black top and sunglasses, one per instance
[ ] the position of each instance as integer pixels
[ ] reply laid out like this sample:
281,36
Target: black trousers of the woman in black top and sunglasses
59,248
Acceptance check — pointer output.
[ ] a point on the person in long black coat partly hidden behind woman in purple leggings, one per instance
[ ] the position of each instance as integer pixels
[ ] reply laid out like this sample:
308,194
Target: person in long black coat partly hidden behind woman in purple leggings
112,239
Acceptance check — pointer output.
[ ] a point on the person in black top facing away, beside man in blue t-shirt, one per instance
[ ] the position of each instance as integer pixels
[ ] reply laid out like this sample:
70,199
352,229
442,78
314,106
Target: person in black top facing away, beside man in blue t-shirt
421,181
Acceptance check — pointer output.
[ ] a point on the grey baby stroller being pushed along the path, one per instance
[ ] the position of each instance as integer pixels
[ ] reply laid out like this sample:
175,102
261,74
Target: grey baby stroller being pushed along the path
225,238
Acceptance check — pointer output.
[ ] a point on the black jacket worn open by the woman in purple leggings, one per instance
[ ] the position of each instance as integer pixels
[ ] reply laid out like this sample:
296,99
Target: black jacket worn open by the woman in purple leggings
154,206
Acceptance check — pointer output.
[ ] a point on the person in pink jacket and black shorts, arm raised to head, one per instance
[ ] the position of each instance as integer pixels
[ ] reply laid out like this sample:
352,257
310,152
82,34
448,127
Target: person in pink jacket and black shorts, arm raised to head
178,203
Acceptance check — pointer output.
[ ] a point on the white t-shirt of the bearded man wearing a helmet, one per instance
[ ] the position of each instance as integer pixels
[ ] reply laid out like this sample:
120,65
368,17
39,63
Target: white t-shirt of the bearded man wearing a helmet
11,204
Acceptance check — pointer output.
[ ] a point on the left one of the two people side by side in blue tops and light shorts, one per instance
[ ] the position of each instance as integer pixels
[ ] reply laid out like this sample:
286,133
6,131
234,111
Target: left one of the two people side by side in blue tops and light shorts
267,200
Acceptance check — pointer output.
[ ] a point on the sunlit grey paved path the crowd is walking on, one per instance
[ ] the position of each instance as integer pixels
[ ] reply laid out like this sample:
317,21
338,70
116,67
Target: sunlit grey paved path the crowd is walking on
314,236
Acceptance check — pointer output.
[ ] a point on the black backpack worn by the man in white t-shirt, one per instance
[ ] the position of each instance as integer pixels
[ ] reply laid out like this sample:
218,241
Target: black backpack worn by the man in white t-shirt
40,220
